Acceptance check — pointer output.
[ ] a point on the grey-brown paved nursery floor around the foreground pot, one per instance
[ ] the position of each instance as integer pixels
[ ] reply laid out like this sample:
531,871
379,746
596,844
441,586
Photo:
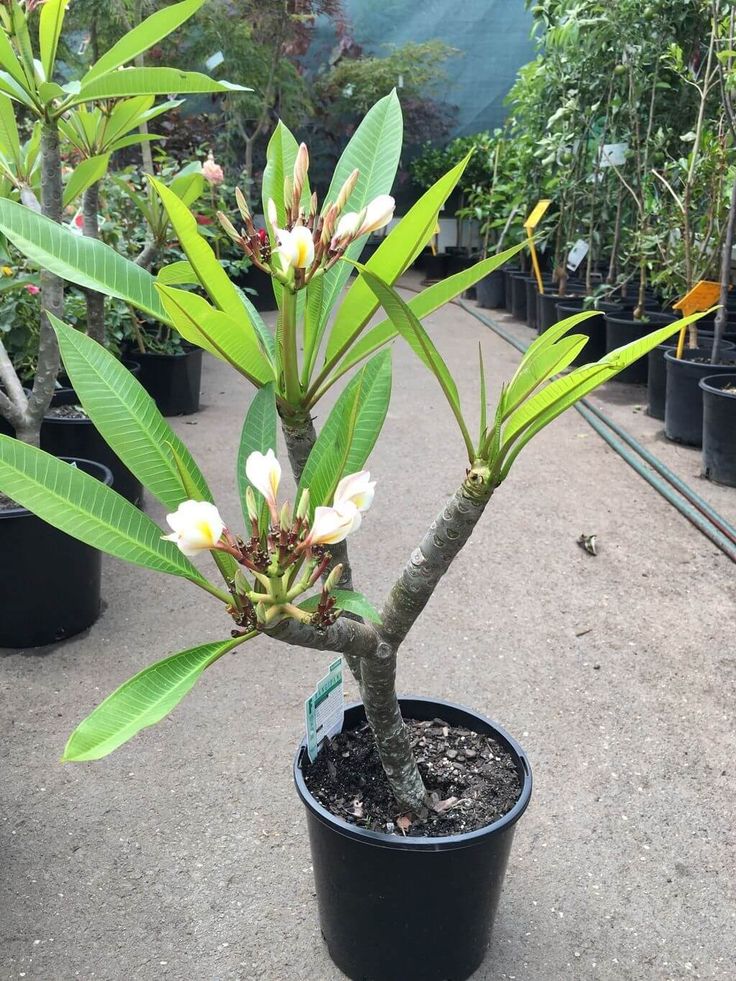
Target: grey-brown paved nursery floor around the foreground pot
183,856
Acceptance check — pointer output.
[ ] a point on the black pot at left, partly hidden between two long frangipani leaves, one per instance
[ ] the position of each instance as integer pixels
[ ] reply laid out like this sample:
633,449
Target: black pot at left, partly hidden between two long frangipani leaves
80,438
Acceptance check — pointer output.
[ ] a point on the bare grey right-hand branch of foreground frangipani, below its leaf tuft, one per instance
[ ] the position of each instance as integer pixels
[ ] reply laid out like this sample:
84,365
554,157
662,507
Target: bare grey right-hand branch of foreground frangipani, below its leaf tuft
447,534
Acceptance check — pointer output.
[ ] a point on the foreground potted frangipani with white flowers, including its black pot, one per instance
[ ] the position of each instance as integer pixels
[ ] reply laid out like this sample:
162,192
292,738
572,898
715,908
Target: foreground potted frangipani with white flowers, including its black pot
427,817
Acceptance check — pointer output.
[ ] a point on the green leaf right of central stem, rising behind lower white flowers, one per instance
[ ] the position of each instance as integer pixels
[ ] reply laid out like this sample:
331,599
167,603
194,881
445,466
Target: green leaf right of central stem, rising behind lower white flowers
350,431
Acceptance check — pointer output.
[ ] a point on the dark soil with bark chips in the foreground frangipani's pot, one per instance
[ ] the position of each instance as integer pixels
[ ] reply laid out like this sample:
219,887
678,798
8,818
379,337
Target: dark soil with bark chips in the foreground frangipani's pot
471,779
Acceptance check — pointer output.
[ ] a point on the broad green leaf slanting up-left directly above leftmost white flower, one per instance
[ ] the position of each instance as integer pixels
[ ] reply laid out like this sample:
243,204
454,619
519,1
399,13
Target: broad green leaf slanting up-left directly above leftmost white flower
128,419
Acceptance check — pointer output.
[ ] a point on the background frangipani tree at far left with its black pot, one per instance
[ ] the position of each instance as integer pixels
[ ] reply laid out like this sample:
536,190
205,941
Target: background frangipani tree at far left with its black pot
29,41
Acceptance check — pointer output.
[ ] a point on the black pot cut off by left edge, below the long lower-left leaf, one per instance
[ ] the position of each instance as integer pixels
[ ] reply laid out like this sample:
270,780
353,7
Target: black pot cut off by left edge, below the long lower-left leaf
51,582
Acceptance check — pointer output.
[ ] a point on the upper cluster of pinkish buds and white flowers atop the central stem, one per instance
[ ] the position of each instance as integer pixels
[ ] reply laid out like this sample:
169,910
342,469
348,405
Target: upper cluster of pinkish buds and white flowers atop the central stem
309,243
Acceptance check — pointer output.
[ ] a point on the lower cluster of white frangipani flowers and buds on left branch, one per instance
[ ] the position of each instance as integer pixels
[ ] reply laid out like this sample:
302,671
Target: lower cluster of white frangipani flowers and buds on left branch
288,558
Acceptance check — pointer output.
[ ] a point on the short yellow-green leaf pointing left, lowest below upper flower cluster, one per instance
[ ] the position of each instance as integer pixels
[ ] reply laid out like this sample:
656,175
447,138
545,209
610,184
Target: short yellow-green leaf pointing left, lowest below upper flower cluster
233,341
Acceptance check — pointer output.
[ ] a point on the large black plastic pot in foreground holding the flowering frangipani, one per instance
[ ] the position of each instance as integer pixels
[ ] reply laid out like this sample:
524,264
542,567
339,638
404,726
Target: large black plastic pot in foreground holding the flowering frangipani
395,909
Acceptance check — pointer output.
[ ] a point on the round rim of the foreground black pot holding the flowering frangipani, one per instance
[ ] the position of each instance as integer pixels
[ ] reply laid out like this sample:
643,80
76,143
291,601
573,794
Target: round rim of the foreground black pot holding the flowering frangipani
382,839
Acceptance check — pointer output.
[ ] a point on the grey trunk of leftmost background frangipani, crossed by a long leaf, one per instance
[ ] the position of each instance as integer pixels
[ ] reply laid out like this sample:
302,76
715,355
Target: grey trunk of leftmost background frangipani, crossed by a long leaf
52,291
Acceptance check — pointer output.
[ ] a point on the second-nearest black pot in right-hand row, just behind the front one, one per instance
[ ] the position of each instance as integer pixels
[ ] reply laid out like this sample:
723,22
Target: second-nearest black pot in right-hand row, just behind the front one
683,414
